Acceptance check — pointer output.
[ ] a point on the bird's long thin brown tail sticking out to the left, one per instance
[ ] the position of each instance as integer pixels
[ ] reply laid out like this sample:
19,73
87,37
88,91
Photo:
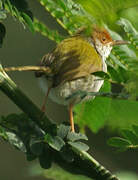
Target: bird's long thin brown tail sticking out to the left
42,69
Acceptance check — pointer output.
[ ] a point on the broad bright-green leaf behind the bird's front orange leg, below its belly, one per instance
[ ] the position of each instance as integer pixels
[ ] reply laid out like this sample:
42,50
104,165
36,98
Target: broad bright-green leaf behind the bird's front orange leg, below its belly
93,113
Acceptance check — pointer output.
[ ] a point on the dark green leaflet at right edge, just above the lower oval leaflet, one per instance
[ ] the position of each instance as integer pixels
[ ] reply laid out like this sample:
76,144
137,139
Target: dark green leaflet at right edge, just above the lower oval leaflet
129,135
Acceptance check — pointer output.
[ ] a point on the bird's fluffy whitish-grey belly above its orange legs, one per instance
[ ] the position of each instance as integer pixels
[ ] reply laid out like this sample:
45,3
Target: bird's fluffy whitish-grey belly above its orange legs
61,93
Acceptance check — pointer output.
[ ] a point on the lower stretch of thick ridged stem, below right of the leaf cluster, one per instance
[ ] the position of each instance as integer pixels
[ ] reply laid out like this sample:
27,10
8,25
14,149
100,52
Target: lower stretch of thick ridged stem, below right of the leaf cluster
86,165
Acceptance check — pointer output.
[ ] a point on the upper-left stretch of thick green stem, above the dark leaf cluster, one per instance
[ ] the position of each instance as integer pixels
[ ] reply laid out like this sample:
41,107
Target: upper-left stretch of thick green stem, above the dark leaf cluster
22,101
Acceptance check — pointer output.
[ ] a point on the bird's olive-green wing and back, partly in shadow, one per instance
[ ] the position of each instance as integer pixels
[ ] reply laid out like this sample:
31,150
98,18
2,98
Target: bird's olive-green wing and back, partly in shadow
75,58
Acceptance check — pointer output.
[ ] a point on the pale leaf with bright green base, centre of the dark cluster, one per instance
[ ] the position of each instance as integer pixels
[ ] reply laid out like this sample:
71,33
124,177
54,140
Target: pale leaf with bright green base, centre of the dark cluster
55,142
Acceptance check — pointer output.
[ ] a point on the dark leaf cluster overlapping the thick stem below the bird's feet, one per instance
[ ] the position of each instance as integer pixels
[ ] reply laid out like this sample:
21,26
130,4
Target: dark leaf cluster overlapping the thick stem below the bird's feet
25,135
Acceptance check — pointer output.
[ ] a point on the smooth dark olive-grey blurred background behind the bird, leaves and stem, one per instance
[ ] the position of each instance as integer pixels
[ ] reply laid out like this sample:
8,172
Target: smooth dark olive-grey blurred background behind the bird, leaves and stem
21,47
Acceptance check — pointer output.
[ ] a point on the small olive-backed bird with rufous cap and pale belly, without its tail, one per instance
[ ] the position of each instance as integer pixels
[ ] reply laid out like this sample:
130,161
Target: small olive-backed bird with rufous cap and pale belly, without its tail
72,64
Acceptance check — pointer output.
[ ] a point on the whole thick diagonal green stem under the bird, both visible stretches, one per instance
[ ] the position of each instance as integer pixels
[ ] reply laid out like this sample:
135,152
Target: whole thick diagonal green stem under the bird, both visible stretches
83,163
